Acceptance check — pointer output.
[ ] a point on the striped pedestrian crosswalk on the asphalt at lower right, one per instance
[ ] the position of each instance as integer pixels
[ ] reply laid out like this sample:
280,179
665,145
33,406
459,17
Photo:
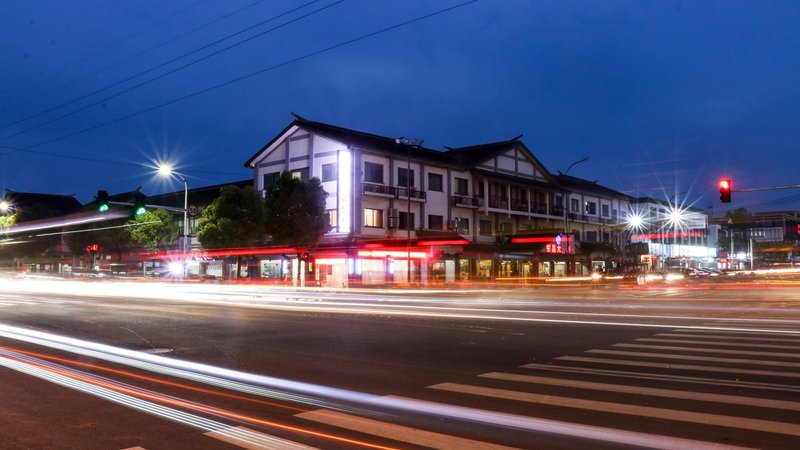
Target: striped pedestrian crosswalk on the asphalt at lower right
679,388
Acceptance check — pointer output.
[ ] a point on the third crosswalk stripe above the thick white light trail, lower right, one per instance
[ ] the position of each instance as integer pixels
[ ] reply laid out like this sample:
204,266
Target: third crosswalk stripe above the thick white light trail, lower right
663,377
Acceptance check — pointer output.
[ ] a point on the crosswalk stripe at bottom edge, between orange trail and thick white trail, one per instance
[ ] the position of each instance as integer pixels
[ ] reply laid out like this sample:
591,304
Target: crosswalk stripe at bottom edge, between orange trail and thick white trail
400,433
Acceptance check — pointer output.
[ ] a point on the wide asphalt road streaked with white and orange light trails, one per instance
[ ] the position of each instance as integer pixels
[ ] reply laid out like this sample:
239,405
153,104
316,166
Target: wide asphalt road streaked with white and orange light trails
162,366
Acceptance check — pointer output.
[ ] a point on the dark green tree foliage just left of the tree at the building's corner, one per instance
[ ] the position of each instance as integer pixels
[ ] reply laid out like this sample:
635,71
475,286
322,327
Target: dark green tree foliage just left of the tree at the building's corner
234,219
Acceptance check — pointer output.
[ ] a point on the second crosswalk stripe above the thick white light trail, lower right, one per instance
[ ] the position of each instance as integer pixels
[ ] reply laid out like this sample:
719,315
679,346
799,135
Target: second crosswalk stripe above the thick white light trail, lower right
654,392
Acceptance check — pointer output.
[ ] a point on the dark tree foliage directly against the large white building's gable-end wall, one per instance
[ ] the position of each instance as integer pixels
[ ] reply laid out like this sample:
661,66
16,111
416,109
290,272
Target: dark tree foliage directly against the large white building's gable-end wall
296,211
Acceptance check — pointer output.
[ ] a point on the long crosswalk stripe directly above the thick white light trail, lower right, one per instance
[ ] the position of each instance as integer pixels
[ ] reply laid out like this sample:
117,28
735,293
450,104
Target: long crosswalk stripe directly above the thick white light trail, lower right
631,410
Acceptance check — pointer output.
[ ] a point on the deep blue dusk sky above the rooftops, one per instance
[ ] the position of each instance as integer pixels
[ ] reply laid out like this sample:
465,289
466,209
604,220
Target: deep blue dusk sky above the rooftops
663,97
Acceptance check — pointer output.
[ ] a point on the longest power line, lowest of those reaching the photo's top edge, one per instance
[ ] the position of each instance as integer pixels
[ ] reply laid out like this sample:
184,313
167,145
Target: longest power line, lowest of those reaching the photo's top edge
244,77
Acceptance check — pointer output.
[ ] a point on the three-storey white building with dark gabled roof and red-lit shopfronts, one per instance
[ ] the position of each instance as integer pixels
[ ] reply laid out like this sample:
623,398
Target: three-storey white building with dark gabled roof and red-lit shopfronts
401,212
